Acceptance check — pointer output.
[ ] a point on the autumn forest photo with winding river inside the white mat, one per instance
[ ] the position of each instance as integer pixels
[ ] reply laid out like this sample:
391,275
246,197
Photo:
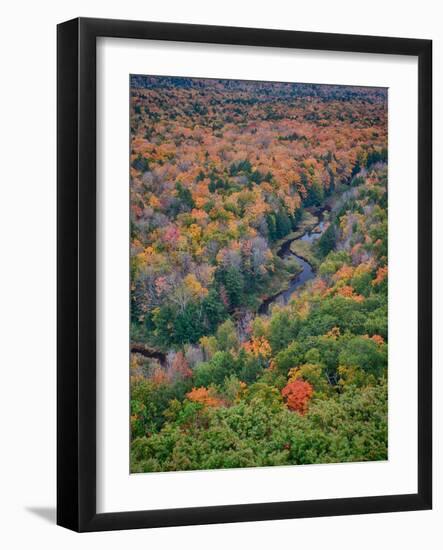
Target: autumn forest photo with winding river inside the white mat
258,272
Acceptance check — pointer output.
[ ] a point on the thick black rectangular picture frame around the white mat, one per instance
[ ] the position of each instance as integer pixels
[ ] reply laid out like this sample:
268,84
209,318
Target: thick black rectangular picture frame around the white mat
76,280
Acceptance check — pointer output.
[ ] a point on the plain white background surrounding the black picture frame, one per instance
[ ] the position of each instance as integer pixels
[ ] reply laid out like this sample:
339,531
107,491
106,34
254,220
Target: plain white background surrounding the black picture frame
27,289
